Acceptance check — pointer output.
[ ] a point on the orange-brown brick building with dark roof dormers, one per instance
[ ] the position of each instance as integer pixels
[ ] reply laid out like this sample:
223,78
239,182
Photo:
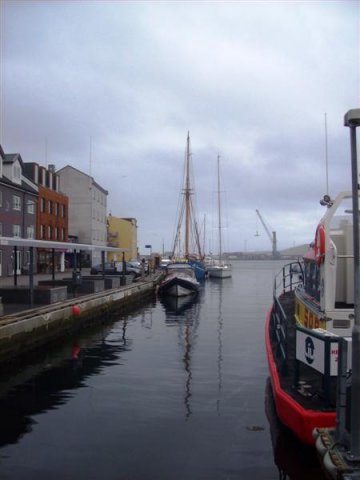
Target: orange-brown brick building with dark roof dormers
51,215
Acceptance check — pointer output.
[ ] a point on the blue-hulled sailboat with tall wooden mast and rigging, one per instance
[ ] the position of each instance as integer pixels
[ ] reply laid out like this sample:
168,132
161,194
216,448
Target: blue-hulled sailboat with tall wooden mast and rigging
188,217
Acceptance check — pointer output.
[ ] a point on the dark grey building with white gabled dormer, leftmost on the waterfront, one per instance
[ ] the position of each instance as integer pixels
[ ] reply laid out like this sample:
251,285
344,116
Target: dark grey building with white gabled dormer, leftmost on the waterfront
18,203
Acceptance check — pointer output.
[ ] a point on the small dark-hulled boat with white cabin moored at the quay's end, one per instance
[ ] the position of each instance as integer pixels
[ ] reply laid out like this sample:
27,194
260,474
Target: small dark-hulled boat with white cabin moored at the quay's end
179,281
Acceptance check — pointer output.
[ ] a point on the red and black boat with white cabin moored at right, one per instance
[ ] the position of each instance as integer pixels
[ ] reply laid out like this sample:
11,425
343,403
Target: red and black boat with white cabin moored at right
313,308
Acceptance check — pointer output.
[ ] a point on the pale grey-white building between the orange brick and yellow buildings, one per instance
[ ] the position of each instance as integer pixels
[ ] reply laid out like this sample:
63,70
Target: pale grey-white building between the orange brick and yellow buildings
87,208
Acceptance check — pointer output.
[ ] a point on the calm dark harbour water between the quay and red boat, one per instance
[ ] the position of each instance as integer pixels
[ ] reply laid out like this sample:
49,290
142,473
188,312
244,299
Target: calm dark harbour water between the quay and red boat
169,392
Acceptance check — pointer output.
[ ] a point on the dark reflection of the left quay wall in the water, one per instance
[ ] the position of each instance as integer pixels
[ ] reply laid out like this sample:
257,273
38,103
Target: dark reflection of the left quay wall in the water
47,384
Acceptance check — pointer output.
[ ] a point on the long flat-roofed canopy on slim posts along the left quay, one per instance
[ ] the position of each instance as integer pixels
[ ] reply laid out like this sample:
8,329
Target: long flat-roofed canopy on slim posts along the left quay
30,243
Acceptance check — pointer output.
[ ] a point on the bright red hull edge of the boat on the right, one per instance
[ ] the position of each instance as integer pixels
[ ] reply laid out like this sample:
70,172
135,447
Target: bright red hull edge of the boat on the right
300,420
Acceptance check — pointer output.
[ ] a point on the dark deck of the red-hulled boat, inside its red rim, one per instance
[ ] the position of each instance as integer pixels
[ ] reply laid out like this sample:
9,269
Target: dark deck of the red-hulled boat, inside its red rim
303,383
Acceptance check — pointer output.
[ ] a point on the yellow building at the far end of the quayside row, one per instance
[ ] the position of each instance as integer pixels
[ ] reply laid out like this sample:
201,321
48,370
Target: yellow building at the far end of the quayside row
122,233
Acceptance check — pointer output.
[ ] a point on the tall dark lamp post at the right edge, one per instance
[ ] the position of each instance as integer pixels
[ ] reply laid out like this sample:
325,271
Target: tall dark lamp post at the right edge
352,120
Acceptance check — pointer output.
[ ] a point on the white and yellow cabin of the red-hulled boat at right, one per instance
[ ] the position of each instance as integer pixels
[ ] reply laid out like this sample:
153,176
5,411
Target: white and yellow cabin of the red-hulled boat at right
326,297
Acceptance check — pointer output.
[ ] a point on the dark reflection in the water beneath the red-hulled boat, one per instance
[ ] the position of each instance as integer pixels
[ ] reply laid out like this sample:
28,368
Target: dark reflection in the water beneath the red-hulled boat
294,460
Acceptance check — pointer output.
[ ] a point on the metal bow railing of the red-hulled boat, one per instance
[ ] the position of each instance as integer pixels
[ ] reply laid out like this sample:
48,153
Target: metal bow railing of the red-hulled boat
285,281
